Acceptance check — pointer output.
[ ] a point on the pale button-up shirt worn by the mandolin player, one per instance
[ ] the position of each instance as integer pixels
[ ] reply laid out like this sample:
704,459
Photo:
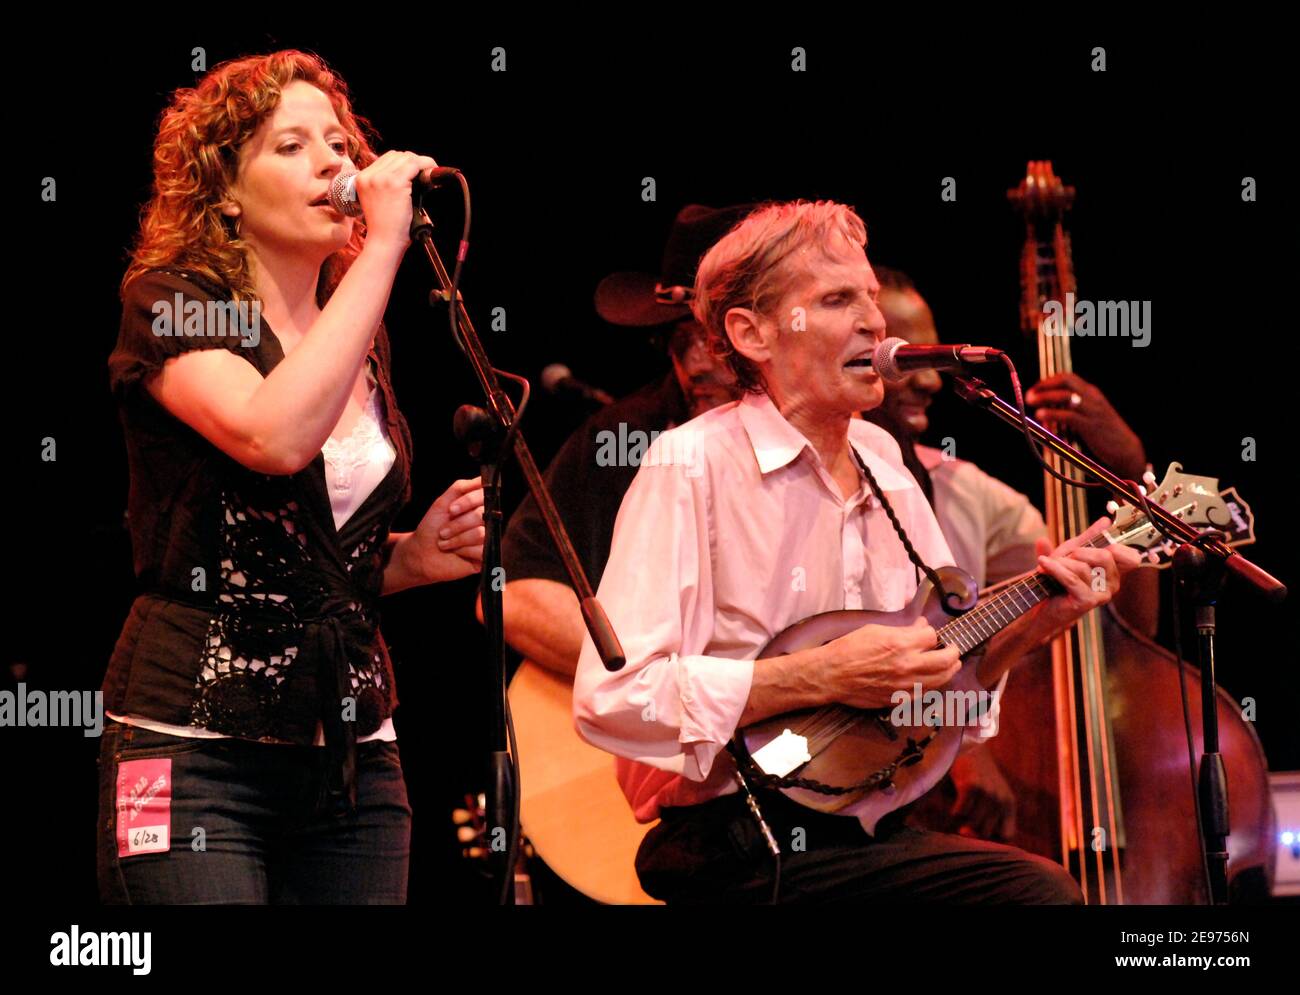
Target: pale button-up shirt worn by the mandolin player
733,531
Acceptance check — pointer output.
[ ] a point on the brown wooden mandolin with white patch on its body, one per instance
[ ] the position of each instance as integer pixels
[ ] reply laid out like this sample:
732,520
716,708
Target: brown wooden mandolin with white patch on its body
869,763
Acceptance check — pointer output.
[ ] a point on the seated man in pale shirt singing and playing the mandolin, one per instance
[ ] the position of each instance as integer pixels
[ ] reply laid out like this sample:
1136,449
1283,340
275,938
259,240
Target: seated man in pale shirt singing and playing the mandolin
757,516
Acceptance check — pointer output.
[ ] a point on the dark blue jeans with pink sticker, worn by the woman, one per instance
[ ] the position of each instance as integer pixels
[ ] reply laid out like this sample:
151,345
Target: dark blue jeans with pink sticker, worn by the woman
244,824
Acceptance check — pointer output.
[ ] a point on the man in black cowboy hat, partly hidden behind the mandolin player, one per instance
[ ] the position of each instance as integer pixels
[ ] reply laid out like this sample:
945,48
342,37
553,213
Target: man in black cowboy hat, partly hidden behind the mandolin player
543,618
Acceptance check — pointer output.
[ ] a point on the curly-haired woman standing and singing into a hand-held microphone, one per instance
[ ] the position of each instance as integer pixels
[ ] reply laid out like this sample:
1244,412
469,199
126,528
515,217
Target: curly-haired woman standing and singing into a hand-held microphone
253,756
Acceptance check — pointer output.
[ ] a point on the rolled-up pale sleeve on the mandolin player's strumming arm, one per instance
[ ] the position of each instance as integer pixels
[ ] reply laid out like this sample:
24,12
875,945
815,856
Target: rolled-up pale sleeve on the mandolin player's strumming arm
671,706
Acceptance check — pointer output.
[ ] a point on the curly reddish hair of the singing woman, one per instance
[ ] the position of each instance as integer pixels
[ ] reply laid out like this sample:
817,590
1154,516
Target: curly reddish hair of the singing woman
197,157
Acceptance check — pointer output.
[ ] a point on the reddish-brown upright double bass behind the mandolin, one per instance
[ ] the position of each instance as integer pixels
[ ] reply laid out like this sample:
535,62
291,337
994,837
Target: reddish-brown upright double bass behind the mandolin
1095,747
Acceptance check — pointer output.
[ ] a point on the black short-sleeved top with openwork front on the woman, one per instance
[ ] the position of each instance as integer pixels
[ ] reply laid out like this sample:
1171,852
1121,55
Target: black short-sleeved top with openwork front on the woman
257,618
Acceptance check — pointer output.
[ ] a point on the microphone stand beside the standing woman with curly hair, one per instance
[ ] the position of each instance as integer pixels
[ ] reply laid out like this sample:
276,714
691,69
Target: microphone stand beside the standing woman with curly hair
487,432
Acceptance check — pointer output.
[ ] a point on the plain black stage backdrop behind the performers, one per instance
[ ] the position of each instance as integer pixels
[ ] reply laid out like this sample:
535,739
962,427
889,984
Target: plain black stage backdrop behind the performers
556,150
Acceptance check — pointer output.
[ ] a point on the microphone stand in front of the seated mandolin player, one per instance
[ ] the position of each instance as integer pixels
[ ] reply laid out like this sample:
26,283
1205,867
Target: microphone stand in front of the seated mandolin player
1201,564
